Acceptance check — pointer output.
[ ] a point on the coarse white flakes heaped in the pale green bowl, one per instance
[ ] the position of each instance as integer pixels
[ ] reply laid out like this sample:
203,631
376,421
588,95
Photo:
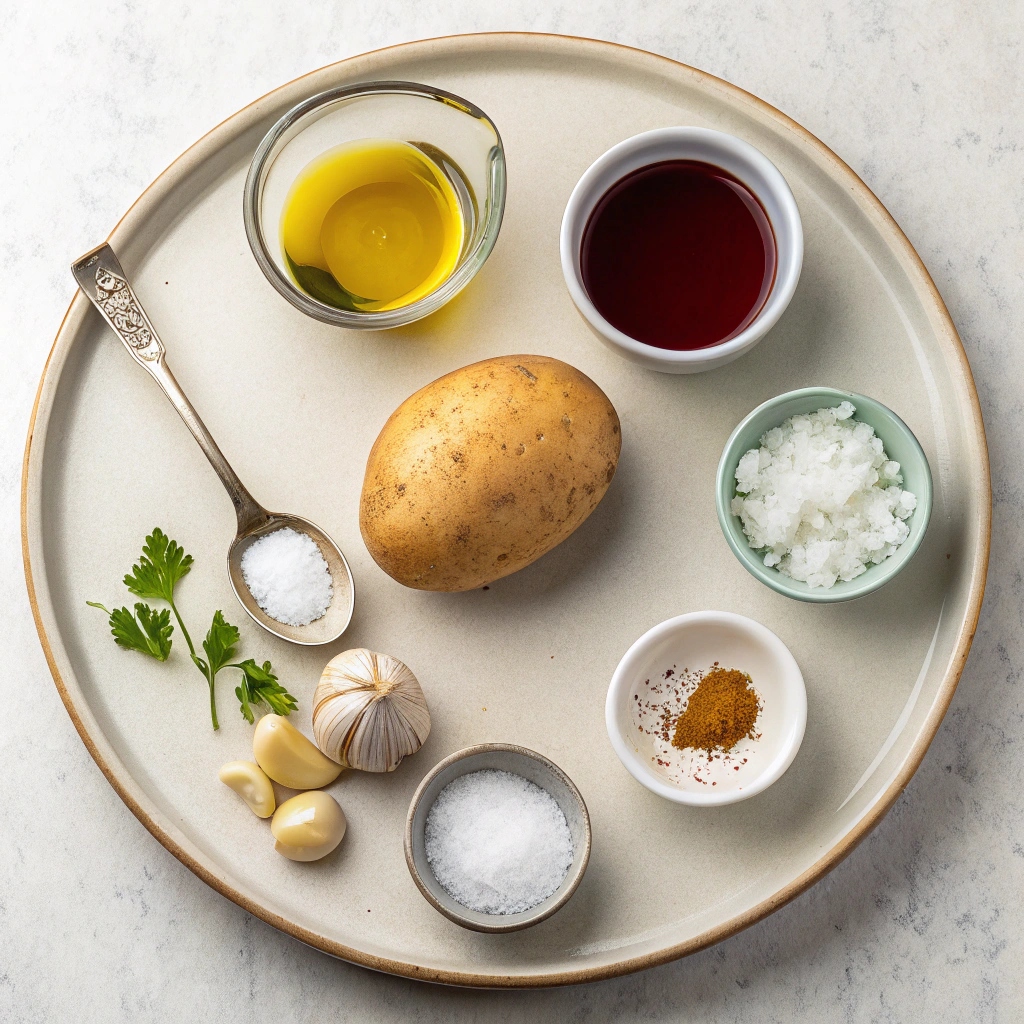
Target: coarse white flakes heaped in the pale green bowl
823,497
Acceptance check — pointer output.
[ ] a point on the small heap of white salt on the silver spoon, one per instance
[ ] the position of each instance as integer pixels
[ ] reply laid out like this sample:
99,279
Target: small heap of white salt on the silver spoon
289,577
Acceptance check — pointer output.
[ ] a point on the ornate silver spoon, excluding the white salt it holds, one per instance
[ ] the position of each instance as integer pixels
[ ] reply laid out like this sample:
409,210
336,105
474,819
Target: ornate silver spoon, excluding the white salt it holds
101,277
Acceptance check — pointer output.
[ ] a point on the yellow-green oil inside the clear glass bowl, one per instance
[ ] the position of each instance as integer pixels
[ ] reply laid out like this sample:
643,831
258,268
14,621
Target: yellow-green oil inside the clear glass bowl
371,226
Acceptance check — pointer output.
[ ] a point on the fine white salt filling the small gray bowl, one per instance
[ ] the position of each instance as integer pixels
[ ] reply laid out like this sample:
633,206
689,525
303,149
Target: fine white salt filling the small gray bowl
498,843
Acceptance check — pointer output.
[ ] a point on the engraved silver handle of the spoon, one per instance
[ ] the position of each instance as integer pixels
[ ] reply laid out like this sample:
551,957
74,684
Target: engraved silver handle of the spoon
100,275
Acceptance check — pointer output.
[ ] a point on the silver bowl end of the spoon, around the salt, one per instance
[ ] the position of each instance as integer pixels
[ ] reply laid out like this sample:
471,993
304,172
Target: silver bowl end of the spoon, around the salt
335,621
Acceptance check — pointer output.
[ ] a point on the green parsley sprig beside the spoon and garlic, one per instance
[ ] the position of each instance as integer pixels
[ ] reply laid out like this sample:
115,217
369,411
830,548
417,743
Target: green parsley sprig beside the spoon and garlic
160,568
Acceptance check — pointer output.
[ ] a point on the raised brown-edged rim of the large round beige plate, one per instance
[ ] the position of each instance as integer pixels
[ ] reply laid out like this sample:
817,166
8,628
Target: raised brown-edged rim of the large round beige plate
924,287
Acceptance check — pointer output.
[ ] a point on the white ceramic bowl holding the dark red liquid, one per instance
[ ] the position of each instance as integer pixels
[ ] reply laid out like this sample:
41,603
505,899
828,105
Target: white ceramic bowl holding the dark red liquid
744,162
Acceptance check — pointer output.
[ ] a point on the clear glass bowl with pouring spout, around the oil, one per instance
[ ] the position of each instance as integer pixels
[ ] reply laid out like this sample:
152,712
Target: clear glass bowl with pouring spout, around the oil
454,134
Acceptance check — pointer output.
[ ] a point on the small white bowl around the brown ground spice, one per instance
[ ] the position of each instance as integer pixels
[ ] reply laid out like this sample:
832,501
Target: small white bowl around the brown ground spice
695,643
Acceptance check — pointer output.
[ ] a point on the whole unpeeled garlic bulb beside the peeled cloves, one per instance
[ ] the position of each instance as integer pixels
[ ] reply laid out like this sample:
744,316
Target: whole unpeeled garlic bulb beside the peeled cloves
369,711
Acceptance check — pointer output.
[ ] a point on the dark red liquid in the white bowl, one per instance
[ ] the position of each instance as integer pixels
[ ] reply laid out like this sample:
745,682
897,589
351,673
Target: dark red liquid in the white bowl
679,255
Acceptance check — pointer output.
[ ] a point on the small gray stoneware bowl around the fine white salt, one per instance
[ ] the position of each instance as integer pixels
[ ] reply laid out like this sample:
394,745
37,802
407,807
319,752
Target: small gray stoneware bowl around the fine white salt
519,761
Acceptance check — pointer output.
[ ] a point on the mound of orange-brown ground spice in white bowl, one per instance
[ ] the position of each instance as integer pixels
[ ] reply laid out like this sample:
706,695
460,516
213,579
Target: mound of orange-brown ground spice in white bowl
720,712
